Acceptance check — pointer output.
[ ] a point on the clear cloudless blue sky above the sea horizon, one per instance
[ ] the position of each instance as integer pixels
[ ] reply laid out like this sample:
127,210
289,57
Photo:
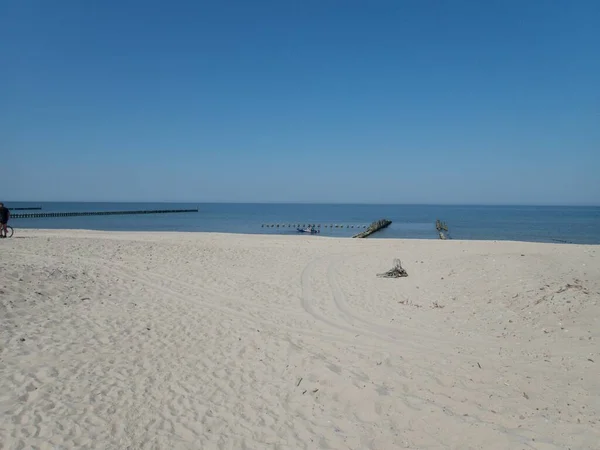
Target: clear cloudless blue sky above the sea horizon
301,100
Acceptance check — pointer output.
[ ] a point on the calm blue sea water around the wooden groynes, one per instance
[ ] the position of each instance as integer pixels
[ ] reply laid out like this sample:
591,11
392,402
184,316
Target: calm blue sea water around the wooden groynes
523,223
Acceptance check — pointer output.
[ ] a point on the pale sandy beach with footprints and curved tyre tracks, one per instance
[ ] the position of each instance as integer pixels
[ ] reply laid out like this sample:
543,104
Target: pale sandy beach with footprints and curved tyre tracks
209,341
